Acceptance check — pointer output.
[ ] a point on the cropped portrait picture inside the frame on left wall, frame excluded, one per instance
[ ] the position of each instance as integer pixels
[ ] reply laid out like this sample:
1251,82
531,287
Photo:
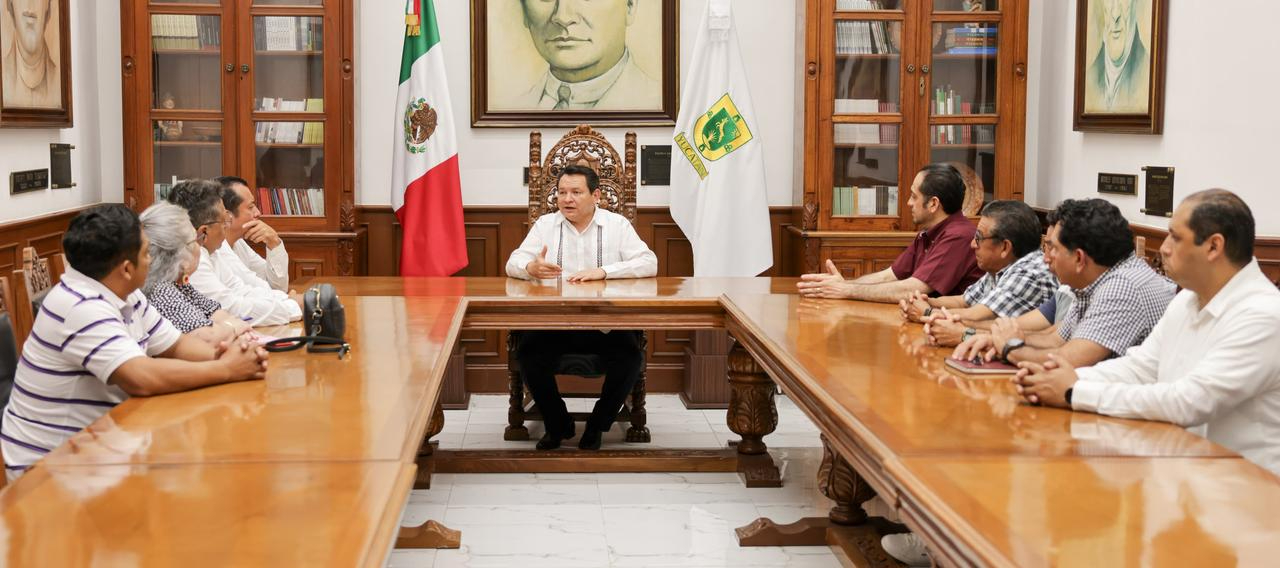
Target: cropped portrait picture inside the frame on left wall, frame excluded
30,35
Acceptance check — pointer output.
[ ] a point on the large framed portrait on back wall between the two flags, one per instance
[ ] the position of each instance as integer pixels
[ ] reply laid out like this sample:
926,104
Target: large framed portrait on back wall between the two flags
574,62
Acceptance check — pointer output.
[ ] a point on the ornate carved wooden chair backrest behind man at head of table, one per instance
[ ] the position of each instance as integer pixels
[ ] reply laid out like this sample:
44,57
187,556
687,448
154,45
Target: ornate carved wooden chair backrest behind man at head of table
583,146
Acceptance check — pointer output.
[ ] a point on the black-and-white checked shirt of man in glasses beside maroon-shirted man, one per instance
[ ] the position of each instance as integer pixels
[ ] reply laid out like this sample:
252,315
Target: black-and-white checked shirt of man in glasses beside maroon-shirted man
1017,288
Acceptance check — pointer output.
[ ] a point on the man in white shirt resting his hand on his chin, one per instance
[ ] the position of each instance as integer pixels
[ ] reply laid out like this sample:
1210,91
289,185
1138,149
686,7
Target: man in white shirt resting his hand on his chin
248,228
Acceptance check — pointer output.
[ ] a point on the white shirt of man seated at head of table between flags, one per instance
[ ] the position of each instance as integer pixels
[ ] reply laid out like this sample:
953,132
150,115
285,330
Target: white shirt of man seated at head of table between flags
610,242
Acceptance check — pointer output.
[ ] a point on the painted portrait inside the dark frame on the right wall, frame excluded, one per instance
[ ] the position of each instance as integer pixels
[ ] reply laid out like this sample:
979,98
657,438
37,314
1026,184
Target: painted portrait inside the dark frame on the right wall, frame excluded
1118,44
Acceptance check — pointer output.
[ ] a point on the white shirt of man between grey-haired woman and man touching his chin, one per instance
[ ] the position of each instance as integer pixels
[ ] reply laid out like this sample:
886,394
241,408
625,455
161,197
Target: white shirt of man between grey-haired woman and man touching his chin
225,280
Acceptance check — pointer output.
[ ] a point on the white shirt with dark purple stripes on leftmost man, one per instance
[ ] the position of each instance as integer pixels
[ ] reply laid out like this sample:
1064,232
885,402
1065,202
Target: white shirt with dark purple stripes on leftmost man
83,335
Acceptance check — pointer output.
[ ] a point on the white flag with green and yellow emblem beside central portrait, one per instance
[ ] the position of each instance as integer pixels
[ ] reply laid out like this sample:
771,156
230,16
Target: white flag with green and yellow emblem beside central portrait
717,184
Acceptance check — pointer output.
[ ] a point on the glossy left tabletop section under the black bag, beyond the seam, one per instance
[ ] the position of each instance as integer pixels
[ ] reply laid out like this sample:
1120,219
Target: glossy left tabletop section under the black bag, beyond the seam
371,405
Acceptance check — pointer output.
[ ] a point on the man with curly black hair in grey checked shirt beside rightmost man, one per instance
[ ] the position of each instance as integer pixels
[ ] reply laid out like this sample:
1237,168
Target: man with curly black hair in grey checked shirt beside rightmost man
1119,299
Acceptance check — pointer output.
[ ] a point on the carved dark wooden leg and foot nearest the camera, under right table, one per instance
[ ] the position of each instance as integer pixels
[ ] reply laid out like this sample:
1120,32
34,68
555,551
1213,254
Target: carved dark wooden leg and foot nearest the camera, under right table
845,528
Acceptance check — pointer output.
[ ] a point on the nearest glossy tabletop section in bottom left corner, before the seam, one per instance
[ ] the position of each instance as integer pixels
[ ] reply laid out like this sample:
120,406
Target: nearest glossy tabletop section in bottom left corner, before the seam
269,515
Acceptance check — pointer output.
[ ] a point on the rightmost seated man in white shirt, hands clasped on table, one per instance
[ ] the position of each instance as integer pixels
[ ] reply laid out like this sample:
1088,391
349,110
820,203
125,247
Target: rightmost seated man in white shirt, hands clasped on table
1210,364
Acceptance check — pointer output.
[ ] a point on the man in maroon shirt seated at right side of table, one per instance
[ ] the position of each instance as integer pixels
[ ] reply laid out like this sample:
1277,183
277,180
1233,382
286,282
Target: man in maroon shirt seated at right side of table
939,262
